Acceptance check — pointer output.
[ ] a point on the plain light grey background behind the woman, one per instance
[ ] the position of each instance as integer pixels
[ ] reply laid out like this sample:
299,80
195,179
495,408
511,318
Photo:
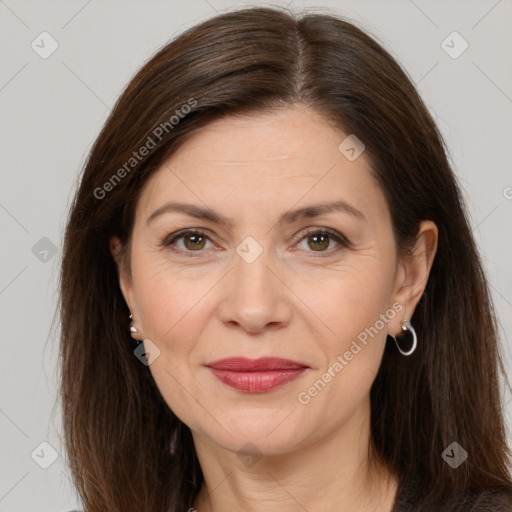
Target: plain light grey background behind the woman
52,109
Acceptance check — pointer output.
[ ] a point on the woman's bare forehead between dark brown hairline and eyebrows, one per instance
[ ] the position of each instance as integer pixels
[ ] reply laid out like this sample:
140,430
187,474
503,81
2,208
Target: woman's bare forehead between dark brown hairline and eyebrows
267,162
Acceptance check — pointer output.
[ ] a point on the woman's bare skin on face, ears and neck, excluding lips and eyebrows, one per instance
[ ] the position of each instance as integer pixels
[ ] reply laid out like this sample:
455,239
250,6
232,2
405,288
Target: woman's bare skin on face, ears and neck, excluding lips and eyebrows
295,301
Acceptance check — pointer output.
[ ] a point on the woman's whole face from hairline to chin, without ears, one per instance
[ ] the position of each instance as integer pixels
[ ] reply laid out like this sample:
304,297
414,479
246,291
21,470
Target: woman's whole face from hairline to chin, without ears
321,291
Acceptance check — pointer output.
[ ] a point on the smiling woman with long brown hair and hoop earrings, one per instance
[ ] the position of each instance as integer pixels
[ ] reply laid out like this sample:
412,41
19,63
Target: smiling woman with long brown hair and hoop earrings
270,214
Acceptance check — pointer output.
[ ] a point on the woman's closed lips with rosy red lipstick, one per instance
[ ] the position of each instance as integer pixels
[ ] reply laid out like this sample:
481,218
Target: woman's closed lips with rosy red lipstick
256,375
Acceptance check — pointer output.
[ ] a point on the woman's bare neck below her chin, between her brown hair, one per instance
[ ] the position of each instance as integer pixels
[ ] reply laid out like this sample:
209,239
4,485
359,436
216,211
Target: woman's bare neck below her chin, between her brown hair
333,473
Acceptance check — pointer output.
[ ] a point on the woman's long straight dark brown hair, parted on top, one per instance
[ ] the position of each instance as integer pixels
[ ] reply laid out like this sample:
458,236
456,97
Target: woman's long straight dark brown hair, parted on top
117,427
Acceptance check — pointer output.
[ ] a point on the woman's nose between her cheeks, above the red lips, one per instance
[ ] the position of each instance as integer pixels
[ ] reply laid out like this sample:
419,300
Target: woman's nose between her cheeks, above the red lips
255,297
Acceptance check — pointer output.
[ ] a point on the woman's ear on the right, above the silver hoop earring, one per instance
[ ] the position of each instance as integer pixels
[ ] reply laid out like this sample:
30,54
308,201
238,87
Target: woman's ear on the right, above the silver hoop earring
413,272
